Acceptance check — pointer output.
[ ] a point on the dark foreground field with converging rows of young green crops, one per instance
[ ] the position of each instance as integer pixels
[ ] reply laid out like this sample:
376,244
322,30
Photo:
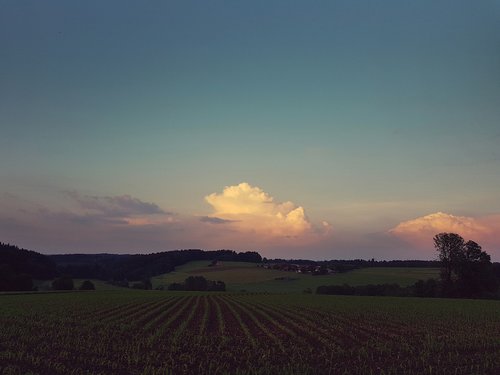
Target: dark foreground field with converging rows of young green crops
181,333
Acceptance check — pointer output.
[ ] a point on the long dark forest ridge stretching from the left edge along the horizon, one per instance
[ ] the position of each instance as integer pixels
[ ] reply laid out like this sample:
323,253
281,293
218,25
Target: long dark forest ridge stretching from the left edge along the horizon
19,267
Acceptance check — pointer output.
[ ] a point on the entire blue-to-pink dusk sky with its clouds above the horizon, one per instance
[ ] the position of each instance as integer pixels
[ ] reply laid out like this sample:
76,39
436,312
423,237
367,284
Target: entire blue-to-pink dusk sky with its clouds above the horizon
299,129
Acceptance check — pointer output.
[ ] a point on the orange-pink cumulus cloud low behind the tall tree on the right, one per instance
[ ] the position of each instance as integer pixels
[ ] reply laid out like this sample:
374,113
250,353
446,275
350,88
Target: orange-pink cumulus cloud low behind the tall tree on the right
421,230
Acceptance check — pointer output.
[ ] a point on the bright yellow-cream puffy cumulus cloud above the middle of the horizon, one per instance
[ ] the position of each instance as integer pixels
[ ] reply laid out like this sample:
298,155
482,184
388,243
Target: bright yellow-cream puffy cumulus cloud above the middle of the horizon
253,210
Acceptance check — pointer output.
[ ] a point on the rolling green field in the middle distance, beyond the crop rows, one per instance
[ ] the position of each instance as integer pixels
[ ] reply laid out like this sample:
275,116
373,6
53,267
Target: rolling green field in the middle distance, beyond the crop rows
240,276
